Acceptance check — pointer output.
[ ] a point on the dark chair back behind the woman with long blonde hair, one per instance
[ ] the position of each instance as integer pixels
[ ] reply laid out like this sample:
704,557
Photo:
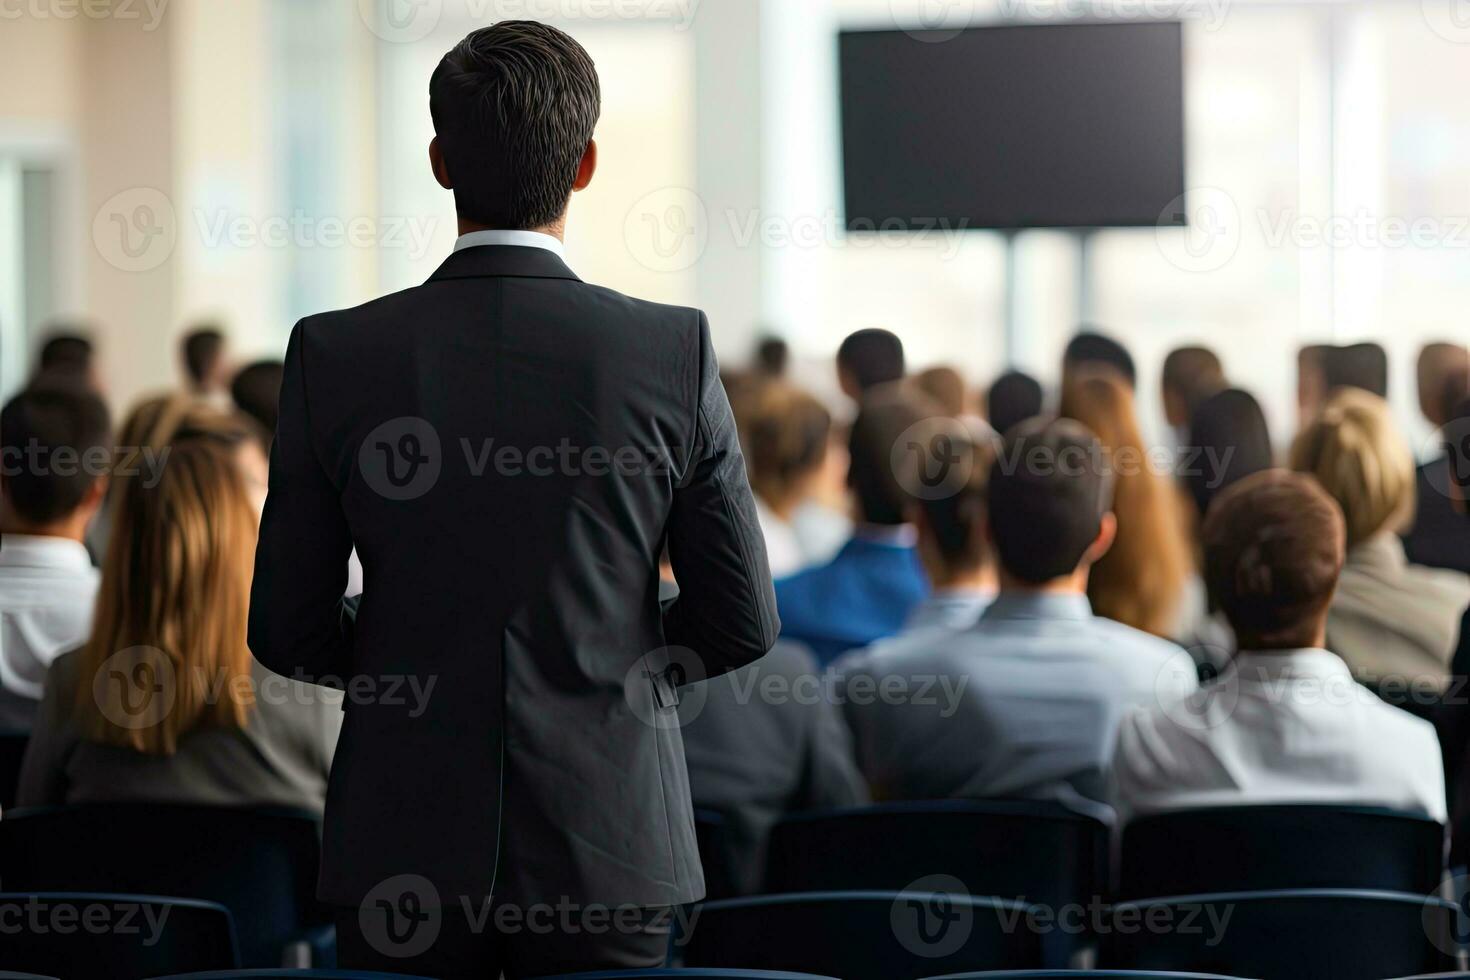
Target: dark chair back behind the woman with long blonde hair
261,865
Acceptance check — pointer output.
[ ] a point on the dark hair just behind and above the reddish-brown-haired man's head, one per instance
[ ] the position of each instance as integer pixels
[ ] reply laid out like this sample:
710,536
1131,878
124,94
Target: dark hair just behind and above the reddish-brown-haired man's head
1228,442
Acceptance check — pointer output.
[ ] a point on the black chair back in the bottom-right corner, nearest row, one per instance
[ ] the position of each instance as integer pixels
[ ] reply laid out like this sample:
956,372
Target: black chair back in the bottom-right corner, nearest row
1300,935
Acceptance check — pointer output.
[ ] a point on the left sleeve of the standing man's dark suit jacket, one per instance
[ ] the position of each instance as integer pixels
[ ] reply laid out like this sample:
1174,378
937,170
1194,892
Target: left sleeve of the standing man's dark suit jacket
299,622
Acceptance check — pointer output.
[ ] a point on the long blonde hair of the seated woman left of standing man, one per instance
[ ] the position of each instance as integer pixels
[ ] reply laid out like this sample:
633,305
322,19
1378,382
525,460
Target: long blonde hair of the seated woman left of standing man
168,649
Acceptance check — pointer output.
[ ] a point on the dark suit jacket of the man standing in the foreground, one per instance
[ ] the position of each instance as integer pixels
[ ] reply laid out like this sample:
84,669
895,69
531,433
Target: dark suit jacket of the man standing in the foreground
509,449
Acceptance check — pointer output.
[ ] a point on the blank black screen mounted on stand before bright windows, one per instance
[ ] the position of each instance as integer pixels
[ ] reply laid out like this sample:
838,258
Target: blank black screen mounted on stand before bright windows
1077,126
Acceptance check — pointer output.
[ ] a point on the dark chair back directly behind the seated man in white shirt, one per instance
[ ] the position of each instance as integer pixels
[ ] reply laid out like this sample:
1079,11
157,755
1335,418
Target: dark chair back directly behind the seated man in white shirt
1294,847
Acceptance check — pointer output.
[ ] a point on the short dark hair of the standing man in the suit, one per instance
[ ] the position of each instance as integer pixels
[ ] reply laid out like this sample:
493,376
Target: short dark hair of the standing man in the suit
514,108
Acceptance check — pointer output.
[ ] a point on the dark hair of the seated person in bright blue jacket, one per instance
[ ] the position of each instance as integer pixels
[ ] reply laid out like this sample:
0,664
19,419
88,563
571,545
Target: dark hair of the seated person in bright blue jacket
883,419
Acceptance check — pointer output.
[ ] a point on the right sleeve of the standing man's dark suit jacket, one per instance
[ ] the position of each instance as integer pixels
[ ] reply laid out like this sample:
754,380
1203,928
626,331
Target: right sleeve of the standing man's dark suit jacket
725,615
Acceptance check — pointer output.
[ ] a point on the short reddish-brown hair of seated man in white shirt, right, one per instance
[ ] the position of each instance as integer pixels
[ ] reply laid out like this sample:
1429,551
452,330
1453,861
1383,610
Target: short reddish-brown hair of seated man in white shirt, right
1274,549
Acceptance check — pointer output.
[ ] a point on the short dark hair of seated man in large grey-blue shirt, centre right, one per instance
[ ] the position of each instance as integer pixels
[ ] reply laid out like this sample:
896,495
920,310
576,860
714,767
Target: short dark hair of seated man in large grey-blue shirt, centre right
1049,491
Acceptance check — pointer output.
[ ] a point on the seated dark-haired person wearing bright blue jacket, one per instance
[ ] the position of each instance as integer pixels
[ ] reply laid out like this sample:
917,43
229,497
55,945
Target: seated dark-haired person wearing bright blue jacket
870,590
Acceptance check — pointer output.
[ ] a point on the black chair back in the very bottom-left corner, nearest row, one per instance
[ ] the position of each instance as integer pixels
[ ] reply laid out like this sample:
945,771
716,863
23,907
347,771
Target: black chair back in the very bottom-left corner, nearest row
79,937
